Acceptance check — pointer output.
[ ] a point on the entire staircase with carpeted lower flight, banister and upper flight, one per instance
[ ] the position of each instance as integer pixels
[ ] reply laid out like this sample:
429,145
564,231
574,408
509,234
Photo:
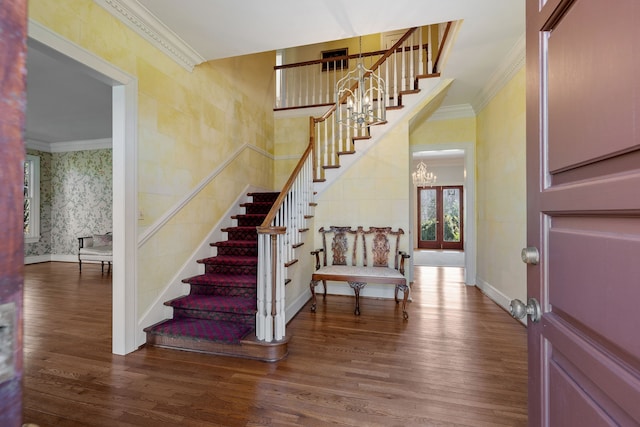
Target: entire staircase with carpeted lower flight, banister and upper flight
238,307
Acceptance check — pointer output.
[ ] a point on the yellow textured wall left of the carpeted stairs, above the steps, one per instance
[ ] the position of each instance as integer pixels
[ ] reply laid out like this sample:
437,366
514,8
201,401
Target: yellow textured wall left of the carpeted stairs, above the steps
189,124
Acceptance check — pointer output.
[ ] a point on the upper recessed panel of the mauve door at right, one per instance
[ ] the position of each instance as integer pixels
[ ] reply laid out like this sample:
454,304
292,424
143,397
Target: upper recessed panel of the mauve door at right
596,54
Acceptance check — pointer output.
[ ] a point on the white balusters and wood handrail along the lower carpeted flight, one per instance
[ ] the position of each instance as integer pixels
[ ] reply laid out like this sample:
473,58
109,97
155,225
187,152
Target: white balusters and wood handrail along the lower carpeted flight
278,236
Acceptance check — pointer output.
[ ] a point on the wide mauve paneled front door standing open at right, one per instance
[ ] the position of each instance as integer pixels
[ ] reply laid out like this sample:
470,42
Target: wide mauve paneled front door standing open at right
583,179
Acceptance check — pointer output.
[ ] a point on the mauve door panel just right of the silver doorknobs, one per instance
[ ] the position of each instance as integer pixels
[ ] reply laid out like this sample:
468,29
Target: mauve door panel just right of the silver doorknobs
588,276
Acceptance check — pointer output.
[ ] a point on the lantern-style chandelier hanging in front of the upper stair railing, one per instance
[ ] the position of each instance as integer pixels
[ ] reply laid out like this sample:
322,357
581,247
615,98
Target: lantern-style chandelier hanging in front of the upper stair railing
365,97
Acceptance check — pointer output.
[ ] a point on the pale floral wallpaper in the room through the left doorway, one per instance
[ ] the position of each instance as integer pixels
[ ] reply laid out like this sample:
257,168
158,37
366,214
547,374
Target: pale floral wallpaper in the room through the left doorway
78,202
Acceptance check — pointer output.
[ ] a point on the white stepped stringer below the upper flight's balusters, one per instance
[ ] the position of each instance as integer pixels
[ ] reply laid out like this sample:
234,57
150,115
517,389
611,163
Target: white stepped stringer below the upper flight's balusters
412,103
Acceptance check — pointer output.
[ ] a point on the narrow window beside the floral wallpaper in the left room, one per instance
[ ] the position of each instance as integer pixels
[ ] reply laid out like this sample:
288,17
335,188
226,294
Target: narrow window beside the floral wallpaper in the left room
31,199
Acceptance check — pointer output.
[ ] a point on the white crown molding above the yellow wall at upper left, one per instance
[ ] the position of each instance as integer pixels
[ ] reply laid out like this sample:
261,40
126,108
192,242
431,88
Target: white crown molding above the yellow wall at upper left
147,25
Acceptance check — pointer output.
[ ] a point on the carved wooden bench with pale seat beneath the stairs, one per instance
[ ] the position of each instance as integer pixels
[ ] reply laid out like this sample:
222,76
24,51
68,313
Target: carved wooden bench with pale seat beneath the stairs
349,261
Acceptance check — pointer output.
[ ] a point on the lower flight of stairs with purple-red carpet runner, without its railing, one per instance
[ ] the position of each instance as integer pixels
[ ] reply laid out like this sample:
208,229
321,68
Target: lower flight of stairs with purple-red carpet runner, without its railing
219,314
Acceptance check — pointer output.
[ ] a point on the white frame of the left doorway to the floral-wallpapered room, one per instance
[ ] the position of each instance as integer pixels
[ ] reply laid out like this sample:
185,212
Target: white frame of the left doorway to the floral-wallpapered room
125,191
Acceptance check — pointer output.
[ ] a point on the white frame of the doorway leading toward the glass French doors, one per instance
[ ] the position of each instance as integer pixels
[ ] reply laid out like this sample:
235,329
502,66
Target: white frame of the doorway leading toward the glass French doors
469,194
